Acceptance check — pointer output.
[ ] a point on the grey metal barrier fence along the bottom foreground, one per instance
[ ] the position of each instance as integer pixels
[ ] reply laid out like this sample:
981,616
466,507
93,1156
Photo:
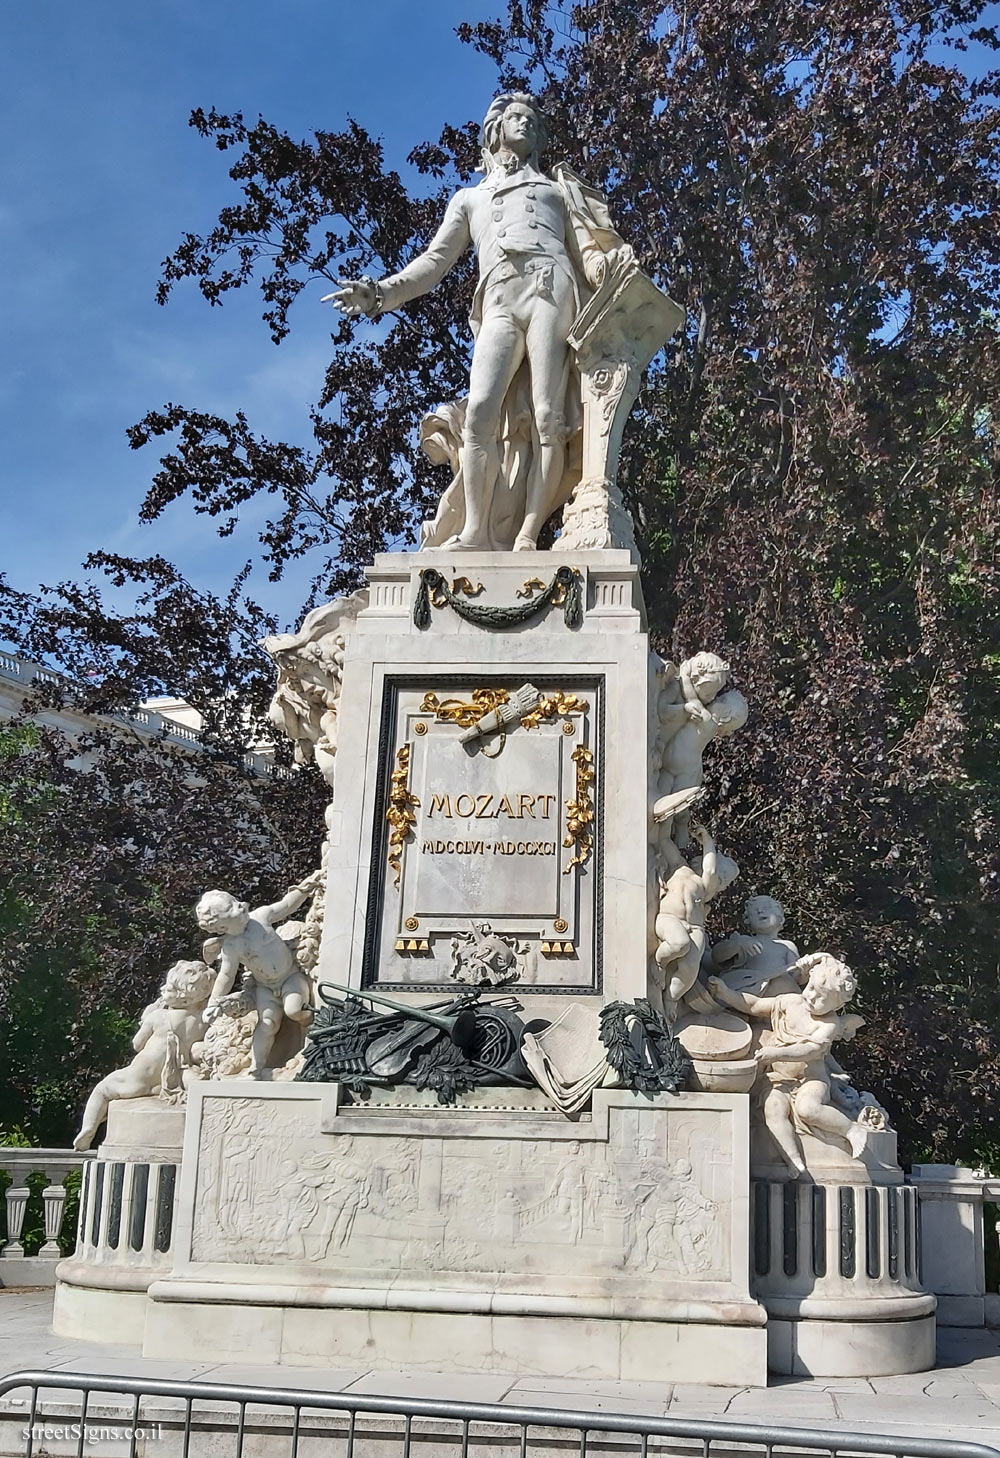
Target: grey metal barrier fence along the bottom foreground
501,1425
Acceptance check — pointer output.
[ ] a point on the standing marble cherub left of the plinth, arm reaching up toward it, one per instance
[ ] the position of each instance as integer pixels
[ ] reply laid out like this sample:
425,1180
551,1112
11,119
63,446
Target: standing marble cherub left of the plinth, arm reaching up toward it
275,981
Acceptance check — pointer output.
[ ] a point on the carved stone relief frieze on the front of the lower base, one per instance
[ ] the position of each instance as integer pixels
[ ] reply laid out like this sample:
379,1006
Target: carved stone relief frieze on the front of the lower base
652,1201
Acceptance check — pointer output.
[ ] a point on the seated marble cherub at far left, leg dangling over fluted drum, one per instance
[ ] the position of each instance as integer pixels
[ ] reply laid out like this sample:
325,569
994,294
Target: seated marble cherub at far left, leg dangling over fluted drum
167,1048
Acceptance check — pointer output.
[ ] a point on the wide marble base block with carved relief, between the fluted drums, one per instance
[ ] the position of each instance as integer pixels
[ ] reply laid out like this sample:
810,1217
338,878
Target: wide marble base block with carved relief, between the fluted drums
492,1237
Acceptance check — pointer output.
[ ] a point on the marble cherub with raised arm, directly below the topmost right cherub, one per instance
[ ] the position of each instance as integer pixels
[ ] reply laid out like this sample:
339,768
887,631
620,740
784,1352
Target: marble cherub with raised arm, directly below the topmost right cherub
681,919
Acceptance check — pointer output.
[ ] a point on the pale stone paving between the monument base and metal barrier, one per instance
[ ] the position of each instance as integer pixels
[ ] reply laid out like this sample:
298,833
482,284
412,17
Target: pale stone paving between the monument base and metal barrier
960,1399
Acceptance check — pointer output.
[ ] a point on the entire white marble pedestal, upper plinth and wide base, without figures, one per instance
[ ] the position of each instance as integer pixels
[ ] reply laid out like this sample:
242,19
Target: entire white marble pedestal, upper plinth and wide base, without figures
495,740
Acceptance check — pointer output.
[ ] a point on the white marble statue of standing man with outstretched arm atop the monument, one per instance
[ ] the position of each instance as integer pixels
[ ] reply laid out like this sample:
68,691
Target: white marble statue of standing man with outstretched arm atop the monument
544,244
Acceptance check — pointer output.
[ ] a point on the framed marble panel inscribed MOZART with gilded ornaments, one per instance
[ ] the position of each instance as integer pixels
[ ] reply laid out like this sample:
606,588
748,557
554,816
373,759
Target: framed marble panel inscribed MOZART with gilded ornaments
498,829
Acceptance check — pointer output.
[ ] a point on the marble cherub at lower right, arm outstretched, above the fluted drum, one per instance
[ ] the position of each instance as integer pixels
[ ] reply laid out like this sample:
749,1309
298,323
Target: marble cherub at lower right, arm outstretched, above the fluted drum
797,1055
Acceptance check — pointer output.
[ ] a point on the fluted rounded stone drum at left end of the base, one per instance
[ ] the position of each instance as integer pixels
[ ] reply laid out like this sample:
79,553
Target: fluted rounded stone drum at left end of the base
126,1227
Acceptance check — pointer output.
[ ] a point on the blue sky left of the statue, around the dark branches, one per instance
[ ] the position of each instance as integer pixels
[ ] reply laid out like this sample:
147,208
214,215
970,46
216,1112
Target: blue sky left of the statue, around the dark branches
100,177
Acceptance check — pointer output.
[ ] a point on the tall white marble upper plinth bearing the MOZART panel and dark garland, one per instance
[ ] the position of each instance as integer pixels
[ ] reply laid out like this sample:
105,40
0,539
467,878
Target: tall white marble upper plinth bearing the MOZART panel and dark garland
489,822
